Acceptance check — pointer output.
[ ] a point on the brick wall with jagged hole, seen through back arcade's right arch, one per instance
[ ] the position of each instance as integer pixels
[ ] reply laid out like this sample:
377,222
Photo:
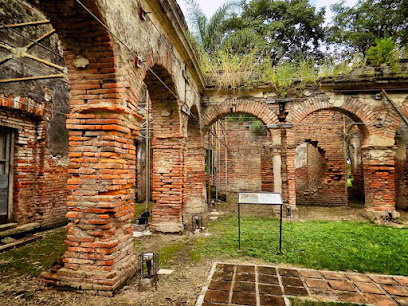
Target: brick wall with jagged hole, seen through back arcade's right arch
322,179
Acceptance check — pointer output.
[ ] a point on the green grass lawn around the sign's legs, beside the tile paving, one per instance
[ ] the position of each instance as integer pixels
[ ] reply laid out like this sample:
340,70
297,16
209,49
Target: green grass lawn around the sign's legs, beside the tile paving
338,246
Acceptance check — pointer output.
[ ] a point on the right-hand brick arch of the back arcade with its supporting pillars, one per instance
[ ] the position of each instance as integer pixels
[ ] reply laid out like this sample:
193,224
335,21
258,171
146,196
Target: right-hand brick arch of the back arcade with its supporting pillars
379,193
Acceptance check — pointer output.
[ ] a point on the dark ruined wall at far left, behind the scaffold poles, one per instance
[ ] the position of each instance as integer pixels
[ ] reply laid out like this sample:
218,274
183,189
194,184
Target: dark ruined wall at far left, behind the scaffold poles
41,138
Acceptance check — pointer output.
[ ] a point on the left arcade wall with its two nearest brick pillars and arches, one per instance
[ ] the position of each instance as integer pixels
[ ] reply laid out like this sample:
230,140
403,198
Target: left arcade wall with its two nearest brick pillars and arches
103,124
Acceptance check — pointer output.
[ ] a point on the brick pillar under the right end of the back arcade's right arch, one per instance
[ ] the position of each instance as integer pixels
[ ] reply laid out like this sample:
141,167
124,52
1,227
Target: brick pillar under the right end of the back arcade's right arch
379,181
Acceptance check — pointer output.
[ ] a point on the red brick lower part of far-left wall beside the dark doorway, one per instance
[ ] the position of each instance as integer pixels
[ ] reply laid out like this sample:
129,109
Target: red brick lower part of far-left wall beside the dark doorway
39,187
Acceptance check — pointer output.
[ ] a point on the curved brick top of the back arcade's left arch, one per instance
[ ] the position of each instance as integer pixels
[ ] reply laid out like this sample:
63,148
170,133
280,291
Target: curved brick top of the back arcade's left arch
257,109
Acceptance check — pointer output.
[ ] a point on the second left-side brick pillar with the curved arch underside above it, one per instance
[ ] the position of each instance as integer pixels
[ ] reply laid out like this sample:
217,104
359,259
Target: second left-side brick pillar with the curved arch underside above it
168,146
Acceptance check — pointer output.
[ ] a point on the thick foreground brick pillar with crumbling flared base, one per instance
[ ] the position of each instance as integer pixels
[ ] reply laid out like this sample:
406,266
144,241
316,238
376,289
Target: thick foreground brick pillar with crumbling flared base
100,253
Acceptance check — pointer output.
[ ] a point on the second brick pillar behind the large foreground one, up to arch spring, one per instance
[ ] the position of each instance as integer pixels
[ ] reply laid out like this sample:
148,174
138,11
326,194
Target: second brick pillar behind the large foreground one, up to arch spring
168,184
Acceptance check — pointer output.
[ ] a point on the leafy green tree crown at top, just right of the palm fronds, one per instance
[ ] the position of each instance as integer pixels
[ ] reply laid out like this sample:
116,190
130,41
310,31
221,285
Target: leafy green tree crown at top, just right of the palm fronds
280,29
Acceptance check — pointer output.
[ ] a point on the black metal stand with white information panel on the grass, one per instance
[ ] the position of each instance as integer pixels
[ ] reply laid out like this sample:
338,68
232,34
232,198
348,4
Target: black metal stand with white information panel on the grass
275,197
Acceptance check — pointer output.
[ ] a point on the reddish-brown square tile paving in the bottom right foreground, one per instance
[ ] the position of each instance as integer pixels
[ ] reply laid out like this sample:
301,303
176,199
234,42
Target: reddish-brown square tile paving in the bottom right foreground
232,284
